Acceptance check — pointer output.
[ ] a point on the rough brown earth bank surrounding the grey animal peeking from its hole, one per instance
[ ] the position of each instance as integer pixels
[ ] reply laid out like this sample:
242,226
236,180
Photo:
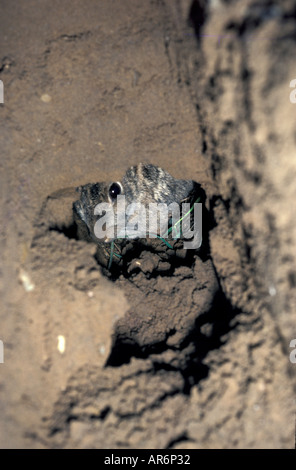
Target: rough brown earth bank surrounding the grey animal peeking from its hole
196,356
